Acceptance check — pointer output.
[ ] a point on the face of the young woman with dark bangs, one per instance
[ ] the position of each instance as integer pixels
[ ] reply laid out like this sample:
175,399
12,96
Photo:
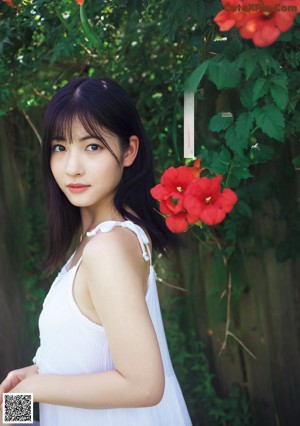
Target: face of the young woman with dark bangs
85,170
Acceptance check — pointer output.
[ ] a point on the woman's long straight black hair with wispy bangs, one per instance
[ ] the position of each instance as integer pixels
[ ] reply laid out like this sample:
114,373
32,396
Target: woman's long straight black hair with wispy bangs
100,103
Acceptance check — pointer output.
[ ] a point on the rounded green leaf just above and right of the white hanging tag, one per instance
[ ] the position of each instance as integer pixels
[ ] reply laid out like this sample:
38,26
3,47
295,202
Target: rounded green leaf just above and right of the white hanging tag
224,74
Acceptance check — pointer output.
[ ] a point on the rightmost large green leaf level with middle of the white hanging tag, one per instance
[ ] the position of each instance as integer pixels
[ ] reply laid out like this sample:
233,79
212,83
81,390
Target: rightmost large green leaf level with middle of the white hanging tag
270,120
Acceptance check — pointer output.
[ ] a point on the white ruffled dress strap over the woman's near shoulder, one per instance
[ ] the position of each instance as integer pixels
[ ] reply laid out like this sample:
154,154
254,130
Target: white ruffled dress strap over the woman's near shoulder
140,233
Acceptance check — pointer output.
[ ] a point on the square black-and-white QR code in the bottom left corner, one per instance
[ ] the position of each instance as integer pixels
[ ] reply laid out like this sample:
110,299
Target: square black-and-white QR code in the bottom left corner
17,408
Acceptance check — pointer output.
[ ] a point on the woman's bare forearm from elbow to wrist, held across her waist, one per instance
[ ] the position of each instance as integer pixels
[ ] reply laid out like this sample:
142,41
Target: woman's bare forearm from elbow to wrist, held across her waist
102,390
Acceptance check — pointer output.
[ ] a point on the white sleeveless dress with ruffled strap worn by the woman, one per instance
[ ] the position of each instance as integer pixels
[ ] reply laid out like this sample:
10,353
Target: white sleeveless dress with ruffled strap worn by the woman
70,343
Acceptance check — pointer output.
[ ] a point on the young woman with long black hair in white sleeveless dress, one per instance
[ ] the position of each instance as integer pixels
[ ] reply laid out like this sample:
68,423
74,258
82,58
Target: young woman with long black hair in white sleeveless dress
103,357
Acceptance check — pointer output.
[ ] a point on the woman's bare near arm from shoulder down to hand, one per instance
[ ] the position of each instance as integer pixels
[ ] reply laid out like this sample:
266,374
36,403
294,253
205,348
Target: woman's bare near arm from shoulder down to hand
112,265
